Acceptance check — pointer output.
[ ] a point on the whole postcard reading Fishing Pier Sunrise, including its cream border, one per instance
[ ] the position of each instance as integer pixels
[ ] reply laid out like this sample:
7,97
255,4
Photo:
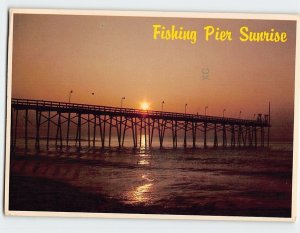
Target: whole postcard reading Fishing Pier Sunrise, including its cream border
152,115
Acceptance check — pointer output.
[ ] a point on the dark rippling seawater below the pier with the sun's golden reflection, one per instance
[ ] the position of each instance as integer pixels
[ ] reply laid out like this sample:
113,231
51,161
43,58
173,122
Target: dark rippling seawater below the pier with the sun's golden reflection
183,181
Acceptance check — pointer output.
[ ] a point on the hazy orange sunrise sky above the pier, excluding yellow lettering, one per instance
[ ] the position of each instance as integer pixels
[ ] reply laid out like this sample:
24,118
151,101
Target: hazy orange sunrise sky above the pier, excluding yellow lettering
117,56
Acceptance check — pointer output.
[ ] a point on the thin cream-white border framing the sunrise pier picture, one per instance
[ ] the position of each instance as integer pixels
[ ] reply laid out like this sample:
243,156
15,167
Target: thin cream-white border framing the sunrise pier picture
161,15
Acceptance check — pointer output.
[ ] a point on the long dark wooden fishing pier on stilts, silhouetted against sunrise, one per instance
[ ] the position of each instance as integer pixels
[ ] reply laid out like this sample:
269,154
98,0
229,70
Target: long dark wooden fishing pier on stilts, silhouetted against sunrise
138,124
